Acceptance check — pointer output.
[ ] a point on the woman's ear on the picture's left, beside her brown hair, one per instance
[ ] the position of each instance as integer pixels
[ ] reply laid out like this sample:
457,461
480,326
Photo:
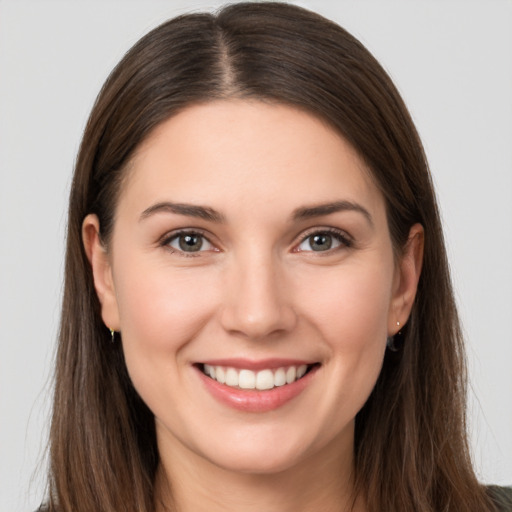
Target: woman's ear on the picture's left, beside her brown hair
102,271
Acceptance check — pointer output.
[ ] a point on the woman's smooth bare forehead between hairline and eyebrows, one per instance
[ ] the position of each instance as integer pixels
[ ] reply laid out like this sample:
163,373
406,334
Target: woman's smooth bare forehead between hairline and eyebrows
263,154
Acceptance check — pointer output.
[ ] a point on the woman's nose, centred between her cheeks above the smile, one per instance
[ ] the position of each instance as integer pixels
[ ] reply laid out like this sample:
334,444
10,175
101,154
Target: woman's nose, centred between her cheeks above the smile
256,304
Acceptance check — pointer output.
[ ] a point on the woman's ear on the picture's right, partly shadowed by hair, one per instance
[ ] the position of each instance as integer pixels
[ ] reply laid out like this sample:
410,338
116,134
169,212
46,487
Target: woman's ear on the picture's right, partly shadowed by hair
407,275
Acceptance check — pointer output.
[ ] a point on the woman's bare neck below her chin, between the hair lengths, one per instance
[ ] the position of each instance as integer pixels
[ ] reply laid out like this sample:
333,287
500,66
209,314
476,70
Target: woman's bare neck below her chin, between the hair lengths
320,482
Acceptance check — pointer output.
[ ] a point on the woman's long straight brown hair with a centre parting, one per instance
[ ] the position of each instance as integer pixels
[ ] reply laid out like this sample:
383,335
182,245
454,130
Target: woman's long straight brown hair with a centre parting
411,451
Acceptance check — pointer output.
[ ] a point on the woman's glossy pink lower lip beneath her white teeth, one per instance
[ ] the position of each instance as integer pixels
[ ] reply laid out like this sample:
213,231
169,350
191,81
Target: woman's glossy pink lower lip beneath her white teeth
253,400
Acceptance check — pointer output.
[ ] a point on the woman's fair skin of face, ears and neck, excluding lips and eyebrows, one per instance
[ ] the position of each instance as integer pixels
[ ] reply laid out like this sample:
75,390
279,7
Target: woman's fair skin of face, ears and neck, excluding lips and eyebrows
255,290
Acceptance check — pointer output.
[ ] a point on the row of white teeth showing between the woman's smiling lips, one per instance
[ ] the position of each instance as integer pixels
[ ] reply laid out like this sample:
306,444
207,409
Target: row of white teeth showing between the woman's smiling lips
261,380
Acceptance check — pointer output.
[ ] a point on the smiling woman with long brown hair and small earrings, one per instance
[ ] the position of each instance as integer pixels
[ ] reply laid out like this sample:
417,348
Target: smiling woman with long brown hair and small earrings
257,311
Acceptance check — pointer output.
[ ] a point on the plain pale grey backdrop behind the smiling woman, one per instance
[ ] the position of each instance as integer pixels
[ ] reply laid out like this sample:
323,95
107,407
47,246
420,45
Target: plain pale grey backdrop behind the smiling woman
451,60
